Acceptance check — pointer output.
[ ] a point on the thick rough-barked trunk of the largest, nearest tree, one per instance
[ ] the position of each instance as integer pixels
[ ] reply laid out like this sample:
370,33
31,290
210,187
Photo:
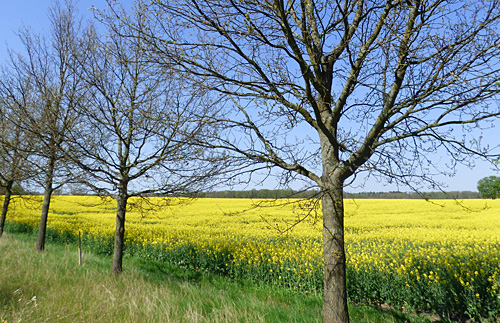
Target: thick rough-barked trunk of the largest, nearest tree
335,287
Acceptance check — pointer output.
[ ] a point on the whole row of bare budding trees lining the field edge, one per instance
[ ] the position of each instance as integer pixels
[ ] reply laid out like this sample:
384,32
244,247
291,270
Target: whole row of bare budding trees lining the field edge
176,97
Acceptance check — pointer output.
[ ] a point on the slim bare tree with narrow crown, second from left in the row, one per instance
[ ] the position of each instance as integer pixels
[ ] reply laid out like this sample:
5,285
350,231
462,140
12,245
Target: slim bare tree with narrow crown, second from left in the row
46,108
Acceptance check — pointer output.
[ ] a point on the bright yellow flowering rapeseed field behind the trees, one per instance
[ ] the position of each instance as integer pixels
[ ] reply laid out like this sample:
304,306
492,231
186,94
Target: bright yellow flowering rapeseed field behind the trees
448,251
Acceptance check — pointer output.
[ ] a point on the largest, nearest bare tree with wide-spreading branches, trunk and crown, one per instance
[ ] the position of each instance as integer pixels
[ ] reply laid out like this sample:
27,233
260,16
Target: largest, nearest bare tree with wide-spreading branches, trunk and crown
328,89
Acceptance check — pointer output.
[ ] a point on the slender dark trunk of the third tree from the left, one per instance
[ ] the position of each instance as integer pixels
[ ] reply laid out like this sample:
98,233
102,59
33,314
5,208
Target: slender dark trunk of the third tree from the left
121,201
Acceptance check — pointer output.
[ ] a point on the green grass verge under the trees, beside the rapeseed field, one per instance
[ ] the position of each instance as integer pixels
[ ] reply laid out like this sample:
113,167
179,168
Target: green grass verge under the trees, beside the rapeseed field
52,287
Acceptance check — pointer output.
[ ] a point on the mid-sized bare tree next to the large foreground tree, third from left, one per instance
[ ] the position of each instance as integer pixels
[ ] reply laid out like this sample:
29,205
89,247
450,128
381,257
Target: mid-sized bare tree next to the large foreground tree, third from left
140,120
